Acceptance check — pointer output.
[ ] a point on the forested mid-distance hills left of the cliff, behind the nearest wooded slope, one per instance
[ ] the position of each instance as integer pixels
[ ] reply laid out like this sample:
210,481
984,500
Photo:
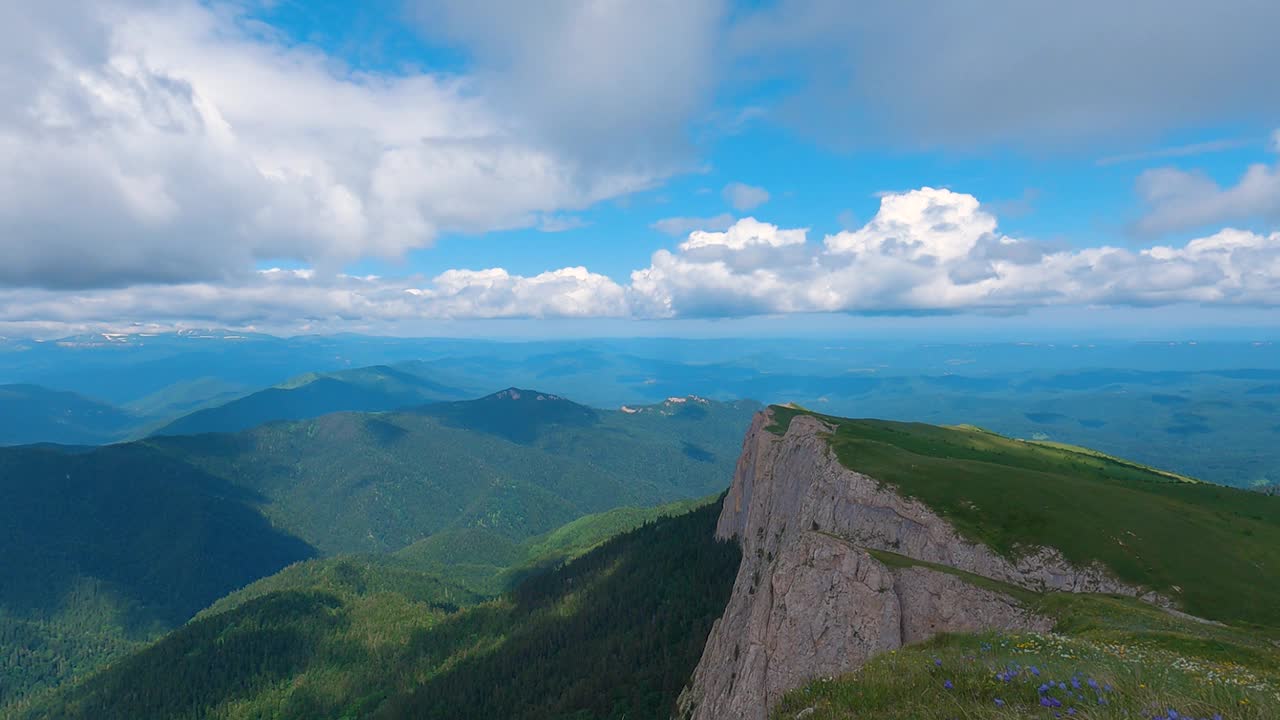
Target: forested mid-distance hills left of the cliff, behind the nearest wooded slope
103,549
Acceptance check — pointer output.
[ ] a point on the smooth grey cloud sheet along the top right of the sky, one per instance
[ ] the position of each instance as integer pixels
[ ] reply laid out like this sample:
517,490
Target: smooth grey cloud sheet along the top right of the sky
940,74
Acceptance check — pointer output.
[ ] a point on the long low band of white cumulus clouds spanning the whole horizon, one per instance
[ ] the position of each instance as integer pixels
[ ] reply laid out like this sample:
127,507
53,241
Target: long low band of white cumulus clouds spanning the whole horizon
926,250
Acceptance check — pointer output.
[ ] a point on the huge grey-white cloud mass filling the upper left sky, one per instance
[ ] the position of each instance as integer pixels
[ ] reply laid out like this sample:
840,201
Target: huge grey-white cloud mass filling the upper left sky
179,143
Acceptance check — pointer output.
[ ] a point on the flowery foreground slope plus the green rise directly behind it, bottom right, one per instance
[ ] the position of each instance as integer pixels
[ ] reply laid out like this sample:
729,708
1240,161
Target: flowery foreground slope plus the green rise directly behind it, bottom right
1108,659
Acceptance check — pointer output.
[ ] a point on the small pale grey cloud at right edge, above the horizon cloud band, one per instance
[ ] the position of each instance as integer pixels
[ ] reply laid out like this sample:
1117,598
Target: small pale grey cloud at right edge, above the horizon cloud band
1178,200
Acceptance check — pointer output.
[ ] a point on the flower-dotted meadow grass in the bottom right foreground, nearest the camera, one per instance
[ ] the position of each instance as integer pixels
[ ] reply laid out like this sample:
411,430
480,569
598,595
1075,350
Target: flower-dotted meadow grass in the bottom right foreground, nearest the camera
1145,681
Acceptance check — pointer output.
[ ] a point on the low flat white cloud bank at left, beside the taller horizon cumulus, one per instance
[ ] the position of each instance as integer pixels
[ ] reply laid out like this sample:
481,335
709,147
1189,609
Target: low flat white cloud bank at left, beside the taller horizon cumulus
294,299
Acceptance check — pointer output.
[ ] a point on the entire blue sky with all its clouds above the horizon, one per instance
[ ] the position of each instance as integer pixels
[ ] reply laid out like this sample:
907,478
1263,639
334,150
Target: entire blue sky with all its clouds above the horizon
422,167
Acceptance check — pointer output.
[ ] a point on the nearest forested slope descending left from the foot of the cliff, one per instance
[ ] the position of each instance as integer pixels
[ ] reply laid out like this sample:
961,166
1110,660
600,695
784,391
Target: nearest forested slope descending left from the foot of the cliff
616,634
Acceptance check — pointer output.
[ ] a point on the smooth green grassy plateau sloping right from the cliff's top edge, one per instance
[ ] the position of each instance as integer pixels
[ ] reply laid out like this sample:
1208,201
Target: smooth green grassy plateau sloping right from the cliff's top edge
1214,550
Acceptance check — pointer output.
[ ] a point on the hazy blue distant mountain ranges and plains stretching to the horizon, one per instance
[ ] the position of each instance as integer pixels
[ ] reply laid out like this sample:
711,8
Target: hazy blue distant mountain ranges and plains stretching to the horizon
1206,409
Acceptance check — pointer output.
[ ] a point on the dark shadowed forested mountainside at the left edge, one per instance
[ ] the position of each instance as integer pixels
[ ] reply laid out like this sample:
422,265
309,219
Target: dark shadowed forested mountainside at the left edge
103,550
